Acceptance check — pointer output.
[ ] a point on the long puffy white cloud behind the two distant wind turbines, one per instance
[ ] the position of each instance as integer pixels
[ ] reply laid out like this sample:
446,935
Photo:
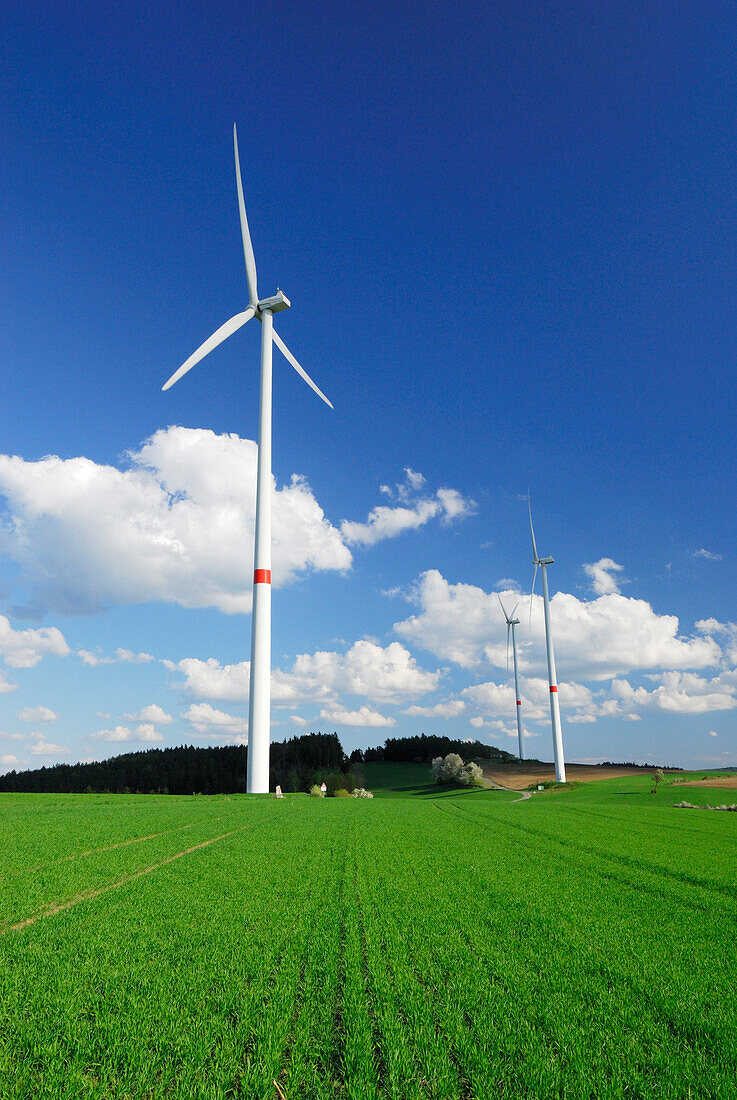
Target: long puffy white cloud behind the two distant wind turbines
595,640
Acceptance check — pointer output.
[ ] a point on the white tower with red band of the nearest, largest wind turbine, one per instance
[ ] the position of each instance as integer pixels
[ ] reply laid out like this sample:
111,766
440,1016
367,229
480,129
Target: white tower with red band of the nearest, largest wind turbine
260,717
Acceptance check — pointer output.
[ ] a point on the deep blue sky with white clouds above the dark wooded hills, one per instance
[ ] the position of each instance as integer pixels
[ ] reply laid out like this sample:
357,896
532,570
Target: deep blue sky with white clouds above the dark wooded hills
509,237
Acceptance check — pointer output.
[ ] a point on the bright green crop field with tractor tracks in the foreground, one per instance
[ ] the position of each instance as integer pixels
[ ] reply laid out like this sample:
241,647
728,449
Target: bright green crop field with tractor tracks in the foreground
465,945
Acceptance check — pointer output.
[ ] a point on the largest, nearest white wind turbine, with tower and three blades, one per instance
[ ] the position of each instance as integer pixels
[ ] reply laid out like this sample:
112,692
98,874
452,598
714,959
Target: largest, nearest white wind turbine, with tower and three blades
261,620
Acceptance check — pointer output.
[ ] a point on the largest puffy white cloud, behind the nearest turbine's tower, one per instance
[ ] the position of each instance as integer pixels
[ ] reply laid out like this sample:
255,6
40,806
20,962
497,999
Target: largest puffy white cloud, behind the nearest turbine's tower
177,525
